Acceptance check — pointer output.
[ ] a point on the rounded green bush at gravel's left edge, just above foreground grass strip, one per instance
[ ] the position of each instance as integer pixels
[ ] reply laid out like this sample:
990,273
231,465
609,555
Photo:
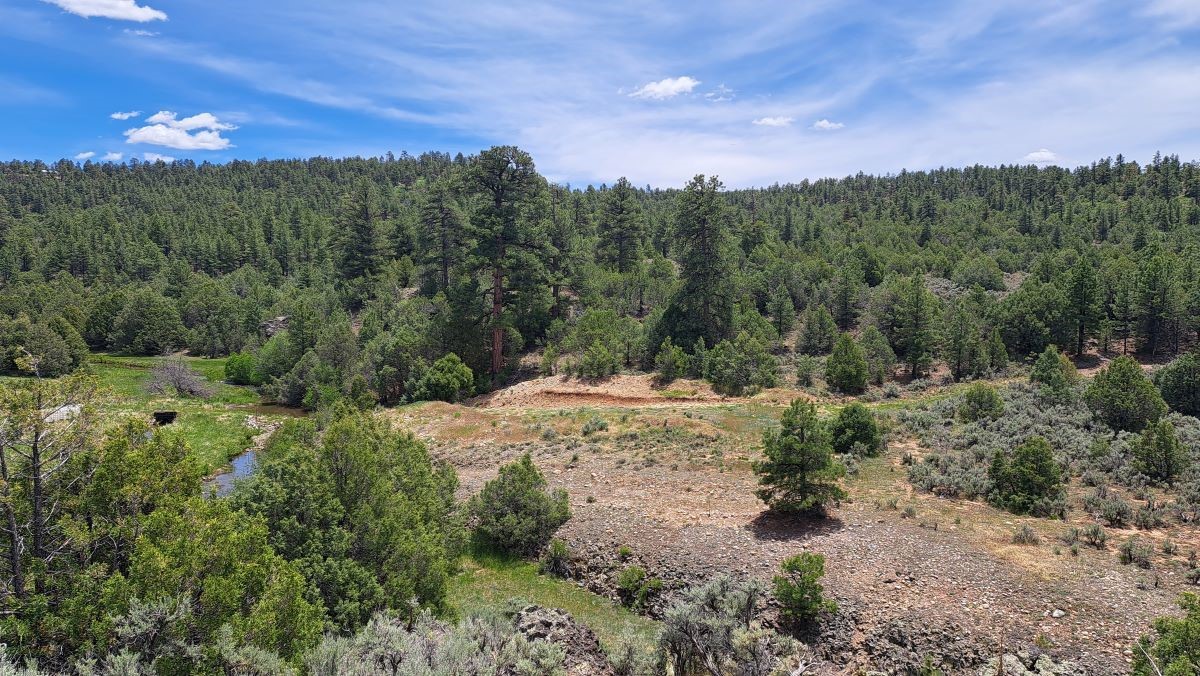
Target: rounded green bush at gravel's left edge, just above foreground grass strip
515,512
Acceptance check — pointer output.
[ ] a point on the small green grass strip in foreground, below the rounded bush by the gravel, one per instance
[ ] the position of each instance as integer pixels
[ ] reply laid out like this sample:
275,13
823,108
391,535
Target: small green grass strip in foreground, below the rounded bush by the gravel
490,583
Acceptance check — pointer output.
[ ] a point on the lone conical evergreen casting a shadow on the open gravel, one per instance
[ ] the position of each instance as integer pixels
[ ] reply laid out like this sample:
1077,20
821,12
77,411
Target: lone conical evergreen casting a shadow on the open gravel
800,474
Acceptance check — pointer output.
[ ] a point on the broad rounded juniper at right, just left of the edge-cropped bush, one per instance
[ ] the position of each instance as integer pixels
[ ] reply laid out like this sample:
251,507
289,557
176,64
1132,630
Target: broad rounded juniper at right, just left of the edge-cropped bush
1123,398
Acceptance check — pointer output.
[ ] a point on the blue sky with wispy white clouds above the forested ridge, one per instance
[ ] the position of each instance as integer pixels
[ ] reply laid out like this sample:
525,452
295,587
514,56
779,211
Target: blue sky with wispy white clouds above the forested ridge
757,93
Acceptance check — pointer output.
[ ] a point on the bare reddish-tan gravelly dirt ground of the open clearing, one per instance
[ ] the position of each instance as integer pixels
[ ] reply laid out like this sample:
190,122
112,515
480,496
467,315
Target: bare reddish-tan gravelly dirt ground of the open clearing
670,478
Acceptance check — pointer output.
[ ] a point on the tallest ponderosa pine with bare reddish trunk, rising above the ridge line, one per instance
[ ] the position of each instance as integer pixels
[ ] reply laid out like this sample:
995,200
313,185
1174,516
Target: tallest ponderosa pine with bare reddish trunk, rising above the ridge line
506,237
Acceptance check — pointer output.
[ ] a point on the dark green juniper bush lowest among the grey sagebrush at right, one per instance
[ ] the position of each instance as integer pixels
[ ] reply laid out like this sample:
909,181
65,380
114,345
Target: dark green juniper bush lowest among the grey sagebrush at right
1031,476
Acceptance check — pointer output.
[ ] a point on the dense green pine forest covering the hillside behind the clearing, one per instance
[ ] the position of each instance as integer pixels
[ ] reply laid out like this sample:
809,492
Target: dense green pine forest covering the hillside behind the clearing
385,266
